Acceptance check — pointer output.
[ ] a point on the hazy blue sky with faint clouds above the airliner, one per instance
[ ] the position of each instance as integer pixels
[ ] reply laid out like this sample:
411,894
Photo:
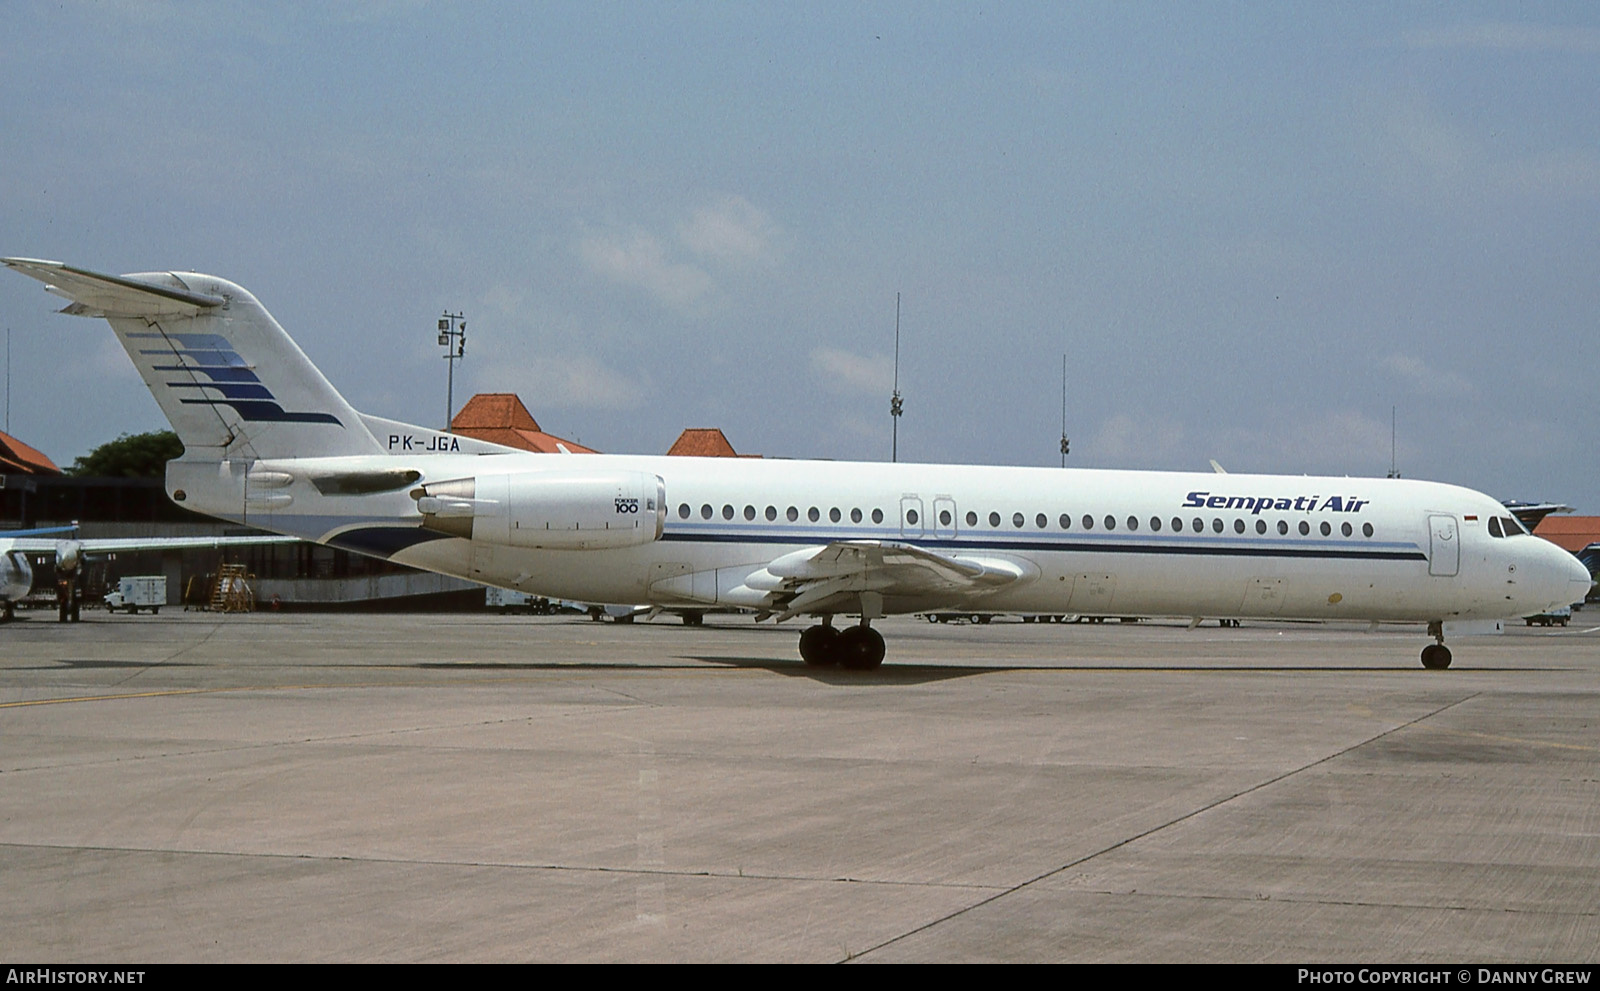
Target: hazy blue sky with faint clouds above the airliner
1250,233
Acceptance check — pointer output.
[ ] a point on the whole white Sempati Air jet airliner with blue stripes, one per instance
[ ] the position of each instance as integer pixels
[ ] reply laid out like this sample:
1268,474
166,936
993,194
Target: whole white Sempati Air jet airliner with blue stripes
271,444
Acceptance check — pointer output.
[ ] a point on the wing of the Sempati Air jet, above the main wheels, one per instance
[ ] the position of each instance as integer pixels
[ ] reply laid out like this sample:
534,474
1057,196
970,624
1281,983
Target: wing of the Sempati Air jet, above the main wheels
862,574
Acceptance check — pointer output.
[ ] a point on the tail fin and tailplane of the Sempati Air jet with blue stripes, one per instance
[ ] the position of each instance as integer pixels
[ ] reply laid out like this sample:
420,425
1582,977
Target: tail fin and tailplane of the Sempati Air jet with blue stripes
226,375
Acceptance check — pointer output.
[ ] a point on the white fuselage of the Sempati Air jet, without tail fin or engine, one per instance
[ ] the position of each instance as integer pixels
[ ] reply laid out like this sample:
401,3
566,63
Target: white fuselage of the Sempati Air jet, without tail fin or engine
1084,542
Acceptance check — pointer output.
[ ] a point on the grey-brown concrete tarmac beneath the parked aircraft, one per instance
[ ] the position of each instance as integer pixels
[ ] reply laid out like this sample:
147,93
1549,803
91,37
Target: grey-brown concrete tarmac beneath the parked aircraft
191,787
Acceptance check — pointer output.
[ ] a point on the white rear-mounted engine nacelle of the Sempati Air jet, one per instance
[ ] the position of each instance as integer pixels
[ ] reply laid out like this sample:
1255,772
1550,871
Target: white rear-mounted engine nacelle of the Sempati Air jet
550,510
